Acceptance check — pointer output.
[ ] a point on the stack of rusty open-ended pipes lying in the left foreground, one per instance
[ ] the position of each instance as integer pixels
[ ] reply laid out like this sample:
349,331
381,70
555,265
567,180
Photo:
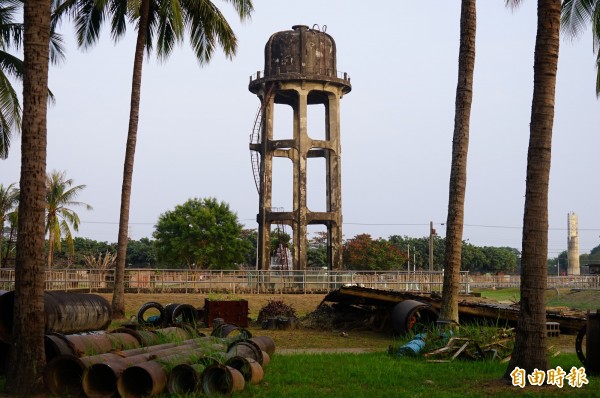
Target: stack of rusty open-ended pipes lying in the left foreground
212,366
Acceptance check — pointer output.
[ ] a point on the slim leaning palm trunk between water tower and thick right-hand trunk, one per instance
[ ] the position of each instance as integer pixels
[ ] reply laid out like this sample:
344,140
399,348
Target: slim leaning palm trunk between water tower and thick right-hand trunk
458,172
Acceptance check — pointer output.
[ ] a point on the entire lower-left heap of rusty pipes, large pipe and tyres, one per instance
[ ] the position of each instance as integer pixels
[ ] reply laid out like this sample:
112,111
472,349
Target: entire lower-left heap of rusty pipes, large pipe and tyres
144,358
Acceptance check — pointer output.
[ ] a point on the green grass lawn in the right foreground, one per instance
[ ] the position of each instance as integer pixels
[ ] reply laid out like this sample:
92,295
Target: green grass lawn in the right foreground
382,375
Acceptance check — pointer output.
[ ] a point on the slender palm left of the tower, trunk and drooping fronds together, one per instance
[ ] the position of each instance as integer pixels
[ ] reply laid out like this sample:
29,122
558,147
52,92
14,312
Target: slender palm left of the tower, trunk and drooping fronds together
159,23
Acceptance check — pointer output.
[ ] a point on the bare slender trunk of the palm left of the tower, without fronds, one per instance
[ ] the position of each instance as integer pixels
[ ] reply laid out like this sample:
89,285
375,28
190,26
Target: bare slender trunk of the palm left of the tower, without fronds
118,301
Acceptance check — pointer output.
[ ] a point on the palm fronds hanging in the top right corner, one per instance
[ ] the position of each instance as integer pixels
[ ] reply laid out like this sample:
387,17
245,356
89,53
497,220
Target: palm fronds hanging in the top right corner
575,16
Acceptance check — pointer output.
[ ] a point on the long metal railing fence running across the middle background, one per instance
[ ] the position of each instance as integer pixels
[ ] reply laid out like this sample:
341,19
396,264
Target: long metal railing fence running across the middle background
254,281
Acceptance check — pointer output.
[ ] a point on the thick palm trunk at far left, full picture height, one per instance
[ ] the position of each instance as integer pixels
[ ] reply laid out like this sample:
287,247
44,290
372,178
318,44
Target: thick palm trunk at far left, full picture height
27,357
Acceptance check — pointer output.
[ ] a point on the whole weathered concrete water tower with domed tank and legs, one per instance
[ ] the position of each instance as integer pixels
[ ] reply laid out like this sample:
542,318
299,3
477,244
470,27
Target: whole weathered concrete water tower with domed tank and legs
300,71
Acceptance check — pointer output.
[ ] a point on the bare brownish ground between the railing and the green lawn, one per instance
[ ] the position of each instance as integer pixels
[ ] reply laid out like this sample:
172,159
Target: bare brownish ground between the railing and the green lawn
302,339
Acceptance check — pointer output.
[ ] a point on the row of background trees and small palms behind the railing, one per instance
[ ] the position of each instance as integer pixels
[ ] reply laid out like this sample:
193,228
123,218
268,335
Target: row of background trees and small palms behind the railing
206,234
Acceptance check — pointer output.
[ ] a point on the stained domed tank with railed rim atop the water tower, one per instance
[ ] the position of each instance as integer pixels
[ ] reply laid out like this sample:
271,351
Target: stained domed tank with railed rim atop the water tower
300,54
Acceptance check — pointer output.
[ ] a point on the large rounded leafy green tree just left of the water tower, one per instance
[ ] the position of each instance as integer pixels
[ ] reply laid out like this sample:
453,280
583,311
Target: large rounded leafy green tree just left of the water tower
201,233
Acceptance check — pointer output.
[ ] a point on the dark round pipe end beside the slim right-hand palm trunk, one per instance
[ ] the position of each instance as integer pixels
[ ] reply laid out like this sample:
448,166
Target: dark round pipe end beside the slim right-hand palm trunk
412,316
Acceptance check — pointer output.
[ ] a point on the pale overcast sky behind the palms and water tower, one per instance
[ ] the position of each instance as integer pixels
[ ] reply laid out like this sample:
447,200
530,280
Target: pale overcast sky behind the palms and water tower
396,123
